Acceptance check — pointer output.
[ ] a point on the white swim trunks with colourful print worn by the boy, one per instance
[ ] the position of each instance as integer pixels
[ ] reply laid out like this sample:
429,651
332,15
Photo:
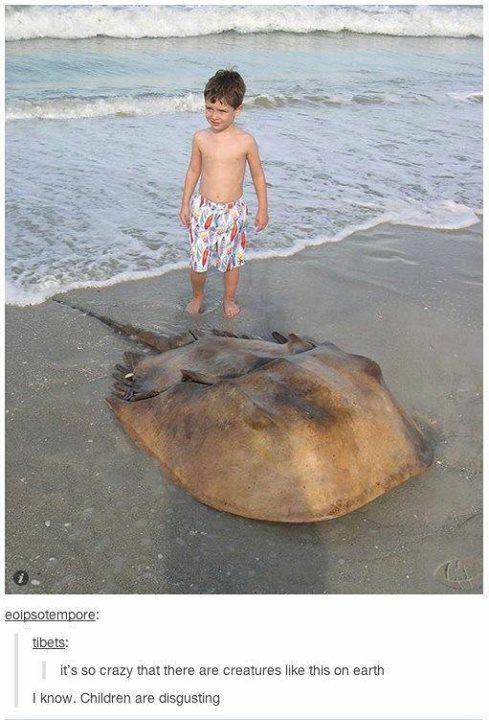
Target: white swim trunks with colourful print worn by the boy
217,234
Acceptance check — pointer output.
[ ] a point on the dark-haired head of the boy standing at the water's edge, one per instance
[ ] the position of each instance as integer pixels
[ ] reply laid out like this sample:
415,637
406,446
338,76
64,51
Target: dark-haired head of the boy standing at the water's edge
223,96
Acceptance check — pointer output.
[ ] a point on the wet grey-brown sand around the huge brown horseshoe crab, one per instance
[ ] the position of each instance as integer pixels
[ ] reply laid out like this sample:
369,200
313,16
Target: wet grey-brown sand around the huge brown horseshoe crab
89,512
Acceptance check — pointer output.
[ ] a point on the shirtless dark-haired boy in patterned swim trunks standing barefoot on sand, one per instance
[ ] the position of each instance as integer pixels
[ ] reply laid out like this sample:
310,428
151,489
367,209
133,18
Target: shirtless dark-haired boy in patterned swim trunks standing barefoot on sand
216,217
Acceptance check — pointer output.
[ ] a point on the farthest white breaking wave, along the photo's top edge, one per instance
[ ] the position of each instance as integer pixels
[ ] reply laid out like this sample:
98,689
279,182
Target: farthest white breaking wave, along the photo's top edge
76,22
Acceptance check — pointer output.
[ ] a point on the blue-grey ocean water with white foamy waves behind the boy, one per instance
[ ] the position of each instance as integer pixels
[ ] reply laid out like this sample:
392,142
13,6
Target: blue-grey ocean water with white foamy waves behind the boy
362,115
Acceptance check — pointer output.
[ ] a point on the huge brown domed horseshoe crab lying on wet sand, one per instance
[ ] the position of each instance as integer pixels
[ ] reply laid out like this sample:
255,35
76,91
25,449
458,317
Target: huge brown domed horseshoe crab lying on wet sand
287,431
